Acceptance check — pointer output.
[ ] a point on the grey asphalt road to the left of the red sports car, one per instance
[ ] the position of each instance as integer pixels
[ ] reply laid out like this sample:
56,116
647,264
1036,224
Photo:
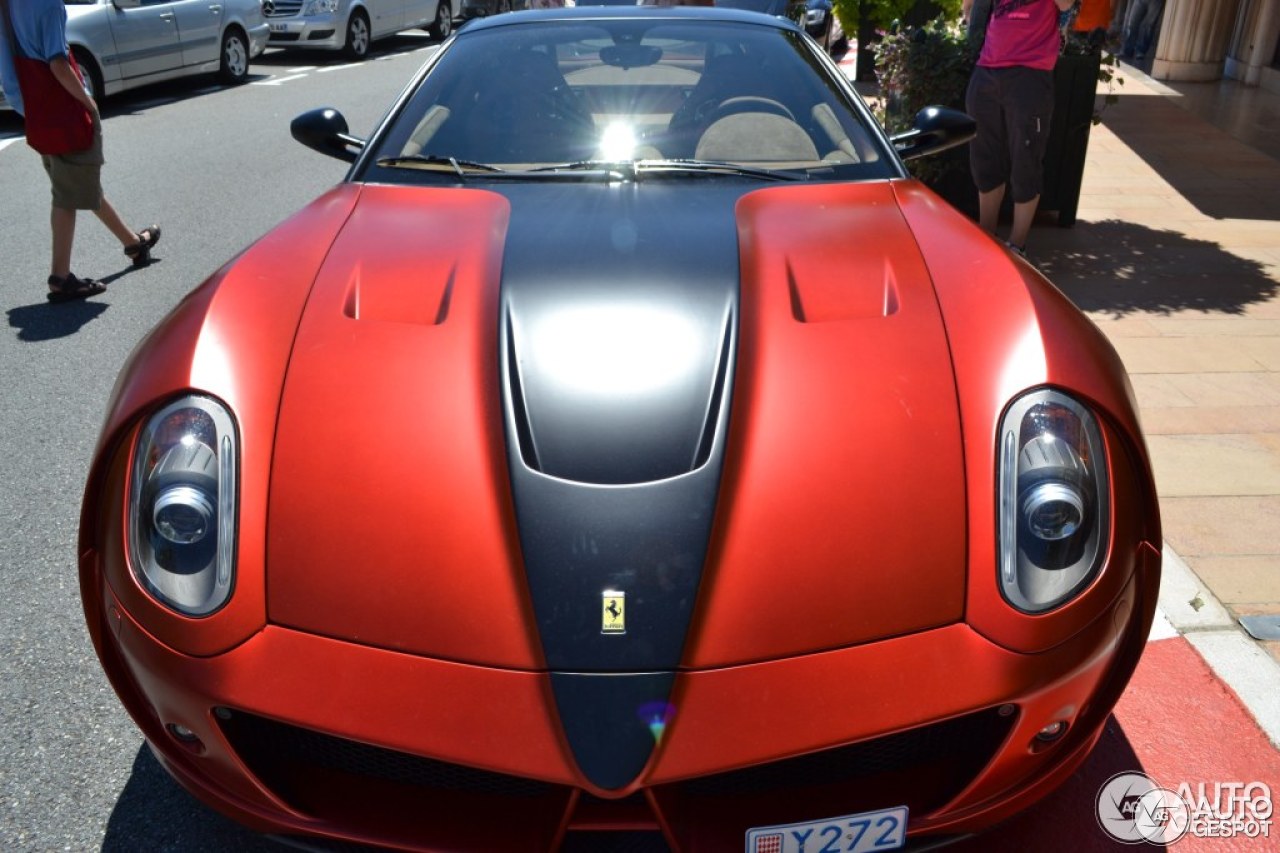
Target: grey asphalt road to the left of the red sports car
216,168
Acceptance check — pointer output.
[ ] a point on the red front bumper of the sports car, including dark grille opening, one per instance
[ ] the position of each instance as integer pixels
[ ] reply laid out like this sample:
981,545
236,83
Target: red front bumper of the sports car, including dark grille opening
301,735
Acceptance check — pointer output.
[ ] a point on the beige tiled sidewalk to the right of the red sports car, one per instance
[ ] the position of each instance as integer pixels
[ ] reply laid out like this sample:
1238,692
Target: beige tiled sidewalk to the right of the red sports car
1177,258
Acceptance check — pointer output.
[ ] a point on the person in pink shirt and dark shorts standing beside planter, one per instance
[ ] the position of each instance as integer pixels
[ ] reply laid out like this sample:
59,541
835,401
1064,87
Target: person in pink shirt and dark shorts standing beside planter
1012,99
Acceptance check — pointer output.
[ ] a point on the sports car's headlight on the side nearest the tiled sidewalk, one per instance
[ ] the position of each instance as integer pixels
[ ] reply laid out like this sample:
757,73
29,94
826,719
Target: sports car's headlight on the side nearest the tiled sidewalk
1054,516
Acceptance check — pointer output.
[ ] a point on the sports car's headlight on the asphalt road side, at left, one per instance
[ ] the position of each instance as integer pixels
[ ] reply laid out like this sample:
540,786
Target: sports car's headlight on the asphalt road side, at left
182,508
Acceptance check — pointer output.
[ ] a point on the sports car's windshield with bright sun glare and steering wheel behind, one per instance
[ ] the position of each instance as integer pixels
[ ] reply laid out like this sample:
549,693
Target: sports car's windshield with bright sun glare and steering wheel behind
634,90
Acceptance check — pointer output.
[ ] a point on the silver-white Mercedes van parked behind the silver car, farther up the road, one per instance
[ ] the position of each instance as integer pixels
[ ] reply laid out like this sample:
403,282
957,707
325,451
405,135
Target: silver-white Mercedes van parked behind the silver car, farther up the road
351,26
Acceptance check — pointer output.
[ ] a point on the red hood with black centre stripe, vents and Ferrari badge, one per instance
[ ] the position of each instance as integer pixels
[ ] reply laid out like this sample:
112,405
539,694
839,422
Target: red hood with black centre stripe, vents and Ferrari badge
732,413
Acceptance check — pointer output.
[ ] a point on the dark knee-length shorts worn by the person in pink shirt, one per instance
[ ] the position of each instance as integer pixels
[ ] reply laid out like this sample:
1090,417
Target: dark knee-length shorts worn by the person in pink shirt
1013,108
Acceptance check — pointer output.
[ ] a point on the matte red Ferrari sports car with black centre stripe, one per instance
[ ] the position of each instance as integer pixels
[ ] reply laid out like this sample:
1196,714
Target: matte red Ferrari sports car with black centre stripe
628,446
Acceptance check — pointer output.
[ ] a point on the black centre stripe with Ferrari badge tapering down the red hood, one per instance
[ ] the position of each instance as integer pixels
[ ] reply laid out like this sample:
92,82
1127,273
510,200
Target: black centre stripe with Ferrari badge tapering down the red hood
616,485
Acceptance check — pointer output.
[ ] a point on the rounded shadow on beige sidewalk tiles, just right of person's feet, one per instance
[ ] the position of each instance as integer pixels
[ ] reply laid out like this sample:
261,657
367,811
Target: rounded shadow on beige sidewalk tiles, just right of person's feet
1121,268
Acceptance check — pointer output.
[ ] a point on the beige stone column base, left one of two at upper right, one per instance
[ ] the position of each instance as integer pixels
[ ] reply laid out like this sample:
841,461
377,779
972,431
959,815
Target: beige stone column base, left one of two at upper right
1194,39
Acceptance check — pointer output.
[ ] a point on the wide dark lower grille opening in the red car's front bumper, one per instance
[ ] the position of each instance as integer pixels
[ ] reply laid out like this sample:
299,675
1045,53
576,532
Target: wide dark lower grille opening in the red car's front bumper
401,799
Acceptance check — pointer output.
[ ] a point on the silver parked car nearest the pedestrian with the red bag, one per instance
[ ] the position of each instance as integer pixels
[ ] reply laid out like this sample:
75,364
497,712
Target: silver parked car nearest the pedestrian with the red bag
122,44
